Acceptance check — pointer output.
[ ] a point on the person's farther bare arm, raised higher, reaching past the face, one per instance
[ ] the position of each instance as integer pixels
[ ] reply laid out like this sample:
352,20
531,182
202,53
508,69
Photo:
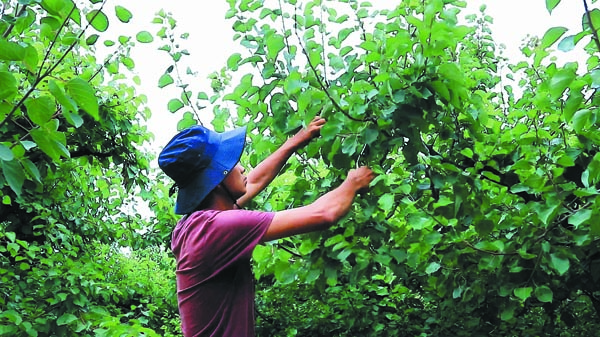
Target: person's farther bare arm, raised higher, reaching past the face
267,170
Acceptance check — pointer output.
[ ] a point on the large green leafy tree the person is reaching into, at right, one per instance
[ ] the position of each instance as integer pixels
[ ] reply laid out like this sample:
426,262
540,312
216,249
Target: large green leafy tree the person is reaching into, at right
484,206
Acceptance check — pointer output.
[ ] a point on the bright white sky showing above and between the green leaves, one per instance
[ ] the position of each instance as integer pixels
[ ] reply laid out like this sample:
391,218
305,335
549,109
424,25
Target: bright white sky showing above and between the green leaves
210,42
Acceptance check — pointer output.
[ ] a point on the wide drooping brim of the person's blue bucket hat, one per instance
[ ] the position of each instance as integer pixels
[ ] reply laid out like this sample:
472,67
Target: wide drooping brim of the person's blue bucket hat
231,144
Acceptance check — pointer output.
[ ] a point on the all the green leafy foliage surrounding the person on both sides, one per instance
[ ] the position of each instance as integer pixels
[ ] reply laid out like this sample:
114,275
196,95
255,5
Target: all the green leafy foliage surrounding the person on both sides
481,220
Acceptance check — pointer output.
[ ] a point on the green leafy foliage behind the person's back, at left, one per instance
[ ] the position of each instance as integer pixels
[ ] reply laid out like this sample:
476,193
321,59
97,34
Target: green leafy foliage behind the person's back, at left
72,164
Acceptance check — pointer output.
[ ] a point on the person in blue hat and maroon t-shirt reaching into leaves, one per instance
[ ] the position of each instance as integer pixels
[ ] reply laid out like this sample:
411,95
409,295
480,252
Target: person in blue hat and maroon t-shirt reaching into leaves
214,239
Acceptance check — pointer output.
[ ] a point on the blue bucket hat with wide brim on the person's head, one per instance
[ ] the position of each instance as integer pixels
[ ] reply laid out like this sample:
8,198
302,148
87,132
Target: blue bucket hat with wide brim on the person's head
198,159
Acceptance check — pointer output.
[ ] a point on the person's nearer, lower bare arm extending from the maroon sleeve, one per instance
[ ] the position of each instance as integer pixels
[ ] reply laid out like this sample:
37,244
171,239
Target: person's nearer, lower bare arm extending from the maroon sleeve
322,213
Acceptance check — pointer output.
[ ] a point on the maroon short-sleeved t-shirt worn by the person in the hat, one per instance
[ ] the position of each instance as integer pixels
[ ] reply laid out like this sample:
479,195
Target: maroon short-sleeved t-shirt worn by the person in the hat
215,284
